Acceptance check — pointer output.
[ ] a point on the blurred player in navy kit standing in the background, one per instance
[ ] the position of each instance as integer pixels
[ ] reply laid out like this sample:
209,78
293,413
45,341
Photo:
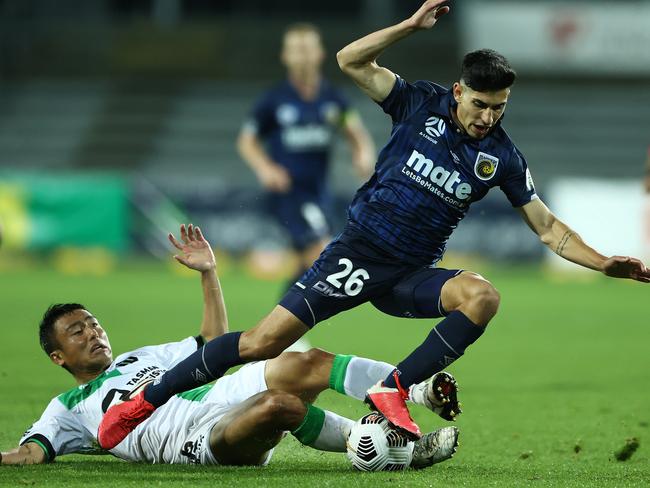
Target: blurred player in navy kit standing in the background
288,139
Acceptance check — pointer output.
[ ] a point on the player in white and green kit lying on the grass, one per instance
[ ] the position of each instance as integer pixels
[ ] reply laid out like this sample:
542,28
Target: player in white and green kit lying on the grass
236,421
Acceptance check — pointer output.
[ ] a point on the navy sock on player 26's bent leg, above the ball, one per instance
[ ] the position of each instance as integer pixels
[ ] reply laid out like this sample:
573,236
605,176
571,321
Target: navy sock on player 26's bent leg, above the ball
444,344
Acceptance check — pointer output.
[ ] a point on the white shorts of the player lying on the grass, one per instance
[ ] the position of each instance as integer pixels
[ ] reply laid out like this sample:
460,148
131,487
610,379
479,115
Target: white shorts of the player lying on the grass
179,431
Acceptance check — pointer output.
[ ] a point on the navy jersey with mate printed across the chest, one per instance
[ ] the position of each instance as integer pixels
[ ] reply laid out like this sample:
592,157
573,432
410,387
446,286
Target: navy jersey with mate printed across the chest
430,172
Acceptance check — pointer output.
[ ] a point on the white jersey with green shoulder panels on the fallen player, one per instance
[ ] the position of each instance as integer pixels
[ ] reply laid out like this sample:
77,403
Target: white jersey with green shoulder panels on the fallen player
70,422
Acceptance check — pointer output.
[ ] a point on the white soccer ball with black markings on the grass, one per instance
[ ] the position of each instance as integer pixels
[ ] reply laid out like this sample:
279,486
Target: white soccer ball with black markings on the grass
373,445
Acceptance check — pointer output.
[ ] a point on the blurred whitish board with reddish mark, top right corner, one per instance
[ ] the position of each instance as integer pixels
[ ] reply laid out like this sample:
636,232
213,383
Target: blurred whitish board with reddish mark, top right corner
579,38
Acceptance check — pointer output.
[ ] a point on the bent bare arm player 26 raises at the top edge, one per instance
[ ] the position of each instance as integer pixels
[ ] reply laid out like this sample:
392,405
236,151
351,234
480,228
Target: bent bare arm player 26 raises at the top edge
359,59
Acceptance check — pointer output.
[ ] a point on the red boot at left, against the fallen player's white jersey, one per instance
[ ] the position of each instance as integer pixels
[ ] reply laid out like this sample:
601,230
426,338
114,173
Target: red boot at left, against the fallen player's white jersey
122,419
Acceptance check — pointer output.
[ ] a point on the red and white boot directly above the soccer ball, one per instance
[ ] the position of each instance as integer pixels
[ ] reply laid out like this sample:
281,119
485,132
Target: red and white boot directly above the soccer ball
390,402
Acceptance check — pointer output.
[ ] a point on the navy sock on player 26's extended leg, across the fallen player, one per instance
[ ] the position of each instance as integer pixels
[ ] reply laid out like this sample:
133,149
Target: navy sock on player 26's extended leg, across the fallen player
201,367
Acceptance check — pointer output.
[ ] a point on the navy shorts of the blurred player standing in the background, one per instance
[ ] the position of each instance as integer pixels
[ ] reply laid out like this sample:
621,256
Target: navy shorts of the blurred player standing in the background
303,215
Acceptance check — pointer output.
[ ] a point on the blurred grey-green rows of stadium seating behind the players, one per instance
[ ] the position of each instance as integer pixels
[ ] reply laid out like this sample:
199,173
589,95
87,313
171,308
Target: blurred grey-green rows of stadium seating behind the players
189,127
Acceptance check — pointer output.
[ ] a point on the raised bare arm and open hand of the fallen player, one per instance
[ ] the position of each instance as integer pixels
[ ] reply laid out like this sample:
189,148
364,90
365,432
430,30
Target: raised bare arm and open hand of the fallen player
196,253
